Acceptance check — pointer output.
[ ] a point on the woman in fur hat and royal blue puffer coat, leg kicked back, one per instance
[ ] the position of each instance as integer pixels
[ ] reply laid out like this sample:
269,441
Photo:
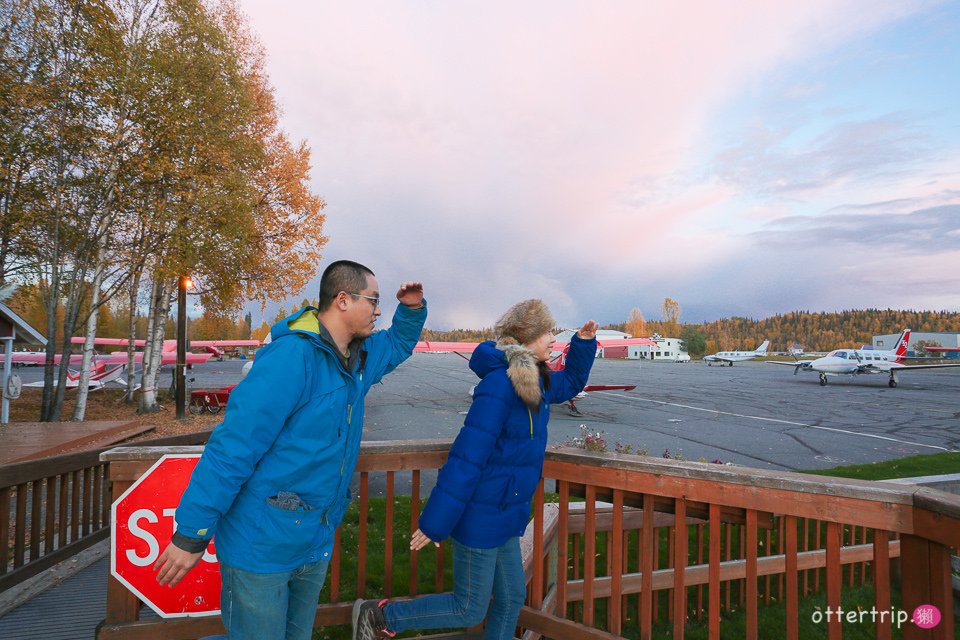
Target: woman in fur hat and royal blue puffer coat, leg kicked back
483,492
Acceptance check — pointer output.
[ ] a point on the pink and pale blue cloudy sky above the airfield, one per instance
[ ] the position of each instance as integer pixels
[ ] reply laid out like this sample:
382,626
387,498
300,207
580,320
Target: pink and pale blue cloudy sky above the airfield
745,158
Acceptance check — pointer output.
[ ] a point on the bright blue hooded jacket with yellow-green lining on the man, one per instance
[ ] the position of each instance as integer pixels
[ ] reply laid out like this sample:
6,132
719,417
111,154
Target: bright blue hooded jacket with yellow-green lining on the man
274,479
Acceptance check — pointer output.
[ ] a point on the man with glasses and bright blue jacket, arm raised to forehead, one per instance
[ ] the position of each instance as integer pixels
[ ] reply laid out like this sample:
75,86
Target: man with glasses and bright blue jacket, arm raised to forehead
274,479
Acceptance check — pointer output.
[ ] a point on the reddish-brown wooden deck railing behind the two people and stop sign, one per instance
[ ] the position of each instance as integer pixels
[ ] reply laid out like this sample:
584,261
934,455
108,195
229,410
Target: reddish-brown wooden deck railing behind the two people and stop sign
678,541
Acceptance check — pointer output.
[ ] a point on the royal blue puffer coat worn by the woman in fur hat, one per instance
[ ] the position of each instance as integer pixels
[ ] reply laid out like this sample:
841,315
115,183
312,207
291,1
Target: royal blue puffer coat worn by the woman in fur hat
483,492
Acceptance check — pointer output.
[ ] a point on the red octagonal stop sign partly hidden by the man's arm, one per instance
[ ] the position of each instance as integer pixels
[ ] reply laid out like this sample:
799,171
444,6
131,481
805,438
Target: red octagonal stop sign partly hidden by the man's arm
141,526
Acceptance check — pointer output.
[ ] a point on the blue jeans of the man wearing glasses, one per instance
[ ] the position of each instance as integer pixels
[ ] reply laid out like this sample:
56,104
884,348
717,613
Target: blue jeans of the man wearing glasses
271,606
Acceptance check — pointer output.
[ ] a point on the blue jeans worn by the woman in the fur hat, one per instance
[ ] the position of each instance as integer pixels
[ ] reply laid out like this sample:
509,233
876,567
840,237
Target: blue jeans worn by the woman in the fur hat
477,573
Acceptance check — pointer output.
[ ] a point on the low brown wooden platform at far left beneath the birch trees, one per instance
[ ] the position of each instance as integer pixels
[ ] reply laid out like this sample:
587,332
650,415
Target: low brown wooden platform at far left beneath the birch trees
22,441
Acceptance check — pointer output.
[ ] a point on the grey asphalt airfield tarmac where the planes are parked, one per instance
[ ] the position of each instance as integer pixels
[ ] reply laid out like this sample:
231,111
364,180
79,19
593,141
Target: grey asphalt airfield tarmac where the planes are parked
753,414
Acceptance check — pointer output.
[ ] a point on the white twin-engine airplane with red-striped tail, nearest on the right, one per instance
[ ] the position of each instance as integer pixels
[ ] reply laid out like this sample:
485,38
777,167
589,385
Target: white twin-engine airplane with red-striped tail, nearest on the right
854,362
